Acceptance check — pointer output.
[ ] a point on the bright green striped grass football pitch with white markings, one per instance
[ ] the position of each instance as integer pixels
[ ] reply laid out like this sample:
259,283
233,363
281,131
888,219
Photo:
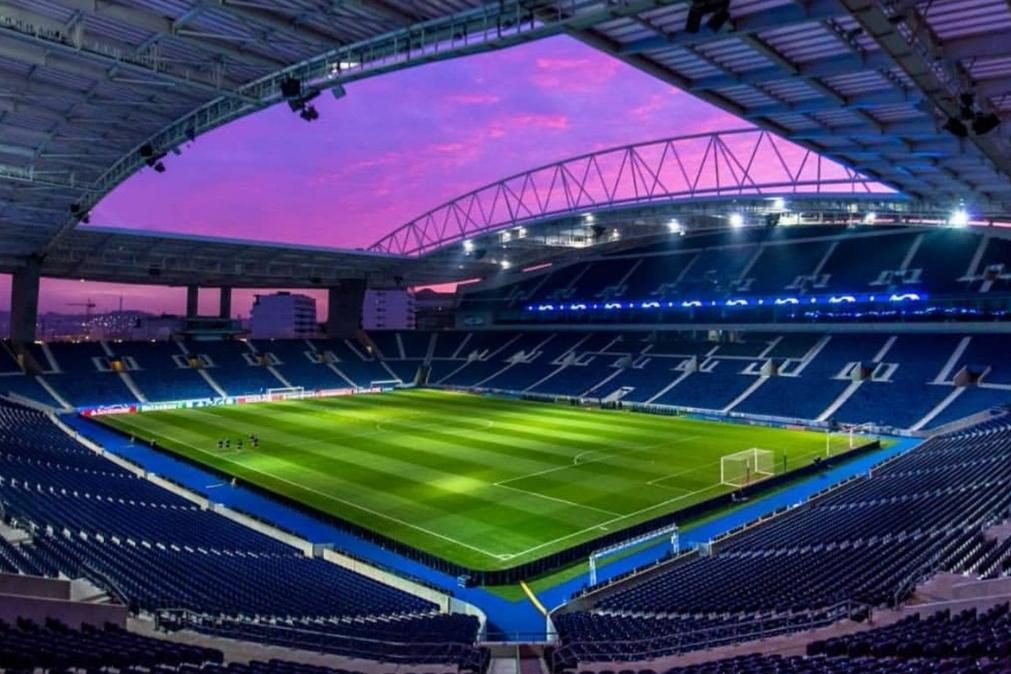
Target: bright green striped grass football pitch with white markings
487,484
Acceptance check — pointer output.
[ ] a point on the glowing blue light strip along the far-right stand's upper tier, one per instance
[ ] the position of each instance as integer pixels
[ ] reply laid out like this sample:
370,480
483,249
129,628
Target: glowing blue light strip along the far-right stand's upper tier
732,304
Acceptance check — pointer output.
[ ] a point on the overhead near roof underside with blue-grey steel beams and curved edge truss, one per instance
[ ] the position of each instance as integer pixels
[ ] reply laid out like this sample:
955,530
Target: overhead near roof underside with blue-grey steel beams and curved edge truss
97,89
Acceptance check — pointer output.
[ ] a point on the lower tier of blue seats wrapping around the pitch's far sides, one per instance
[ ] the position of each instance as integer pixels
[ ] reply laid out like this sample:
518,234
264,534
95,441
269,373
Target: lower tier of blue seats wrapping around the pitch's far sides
890,380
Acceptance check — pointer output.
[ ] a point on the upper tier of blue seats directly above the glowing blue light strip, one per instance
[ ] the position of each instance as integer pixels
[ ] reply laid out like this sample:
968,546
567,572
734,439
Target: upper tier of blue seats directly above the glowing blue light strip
794,261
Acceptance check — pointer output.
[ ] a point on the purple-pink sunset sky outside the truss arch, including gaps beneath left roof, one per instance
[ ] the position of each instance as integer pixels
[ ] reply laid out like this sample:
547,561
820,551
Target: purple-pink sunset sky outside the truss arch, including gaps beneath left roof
394,148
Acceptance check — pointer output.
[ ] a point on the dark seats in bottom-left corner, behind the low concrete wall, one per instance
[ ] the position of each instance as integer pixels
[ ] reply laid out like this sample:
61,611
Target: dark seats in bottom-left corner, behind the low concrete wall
55,647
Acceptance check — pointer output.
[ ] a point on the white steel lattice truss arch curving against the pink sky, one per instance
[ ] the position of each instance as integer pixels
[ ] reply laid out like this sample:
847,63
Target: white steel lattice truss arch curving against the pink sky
748,162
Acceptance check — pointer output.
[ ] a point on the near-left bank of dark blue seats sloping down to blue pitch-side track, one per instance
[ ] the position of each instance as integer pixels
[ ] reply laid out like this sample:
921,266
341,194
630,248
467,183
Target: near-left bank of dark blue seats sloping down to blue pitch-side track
156,551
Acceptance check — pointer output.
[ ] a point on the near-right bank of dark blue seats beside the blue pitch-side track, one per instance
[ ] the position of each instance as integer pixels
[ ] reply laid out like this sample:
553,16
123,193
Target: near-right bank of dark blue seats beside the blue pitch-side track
868,544
